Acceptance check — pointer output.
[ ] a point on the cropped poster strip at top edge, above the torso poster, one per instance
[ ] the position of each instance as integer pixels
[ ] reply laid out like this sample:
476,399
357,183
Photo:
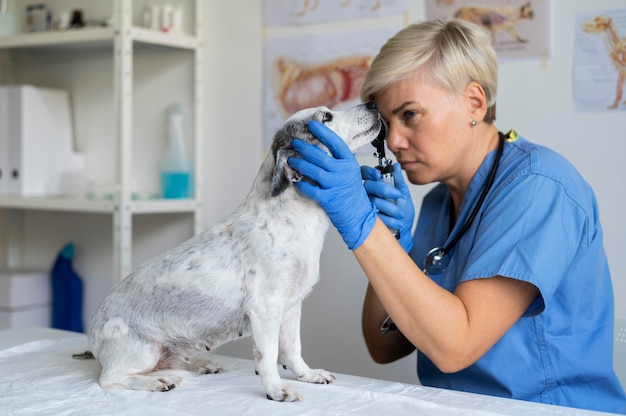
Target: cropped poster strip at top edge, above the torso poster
297,12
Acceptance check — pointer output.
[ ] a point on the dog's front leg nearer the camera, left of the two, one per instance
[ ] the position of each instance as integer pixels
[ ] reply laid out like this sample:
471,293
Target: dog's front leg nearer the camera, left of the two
265,325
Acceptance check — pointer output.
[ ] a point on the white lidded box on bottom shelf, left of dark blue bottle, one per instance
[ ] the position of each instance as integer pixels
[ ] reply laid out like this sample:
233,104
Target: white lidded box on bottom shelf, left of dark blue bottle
25,298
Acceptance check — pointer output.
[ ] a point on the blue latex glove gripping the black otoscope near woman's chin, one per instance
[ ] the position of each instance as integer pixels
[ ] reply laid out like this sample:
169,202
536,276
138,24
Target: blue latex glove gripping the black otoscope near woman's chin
395,206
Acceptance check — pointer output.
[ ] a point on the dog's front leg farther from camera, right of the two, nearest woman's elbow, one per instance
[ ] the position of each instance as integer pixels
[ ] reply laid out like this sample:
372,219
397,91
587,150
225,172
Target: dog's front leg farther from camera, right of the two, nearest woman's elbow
290,349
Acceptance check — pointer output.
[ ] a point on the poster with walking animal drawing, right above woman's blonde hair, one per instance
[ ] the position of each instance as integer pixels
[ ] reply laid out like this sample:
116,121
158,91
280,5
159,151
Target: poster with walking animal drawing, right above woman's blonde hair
518,28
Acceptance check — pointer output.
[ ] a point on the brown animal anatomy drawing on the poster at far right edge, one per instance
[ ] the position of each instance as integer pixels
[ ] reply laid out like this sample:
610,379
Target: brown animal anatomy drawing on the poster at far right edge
616,47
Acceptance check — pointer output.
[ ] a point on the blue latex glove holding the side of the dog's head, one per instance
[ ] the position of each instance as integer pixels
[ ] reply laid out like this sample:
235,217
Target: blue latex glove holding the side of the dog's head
338,186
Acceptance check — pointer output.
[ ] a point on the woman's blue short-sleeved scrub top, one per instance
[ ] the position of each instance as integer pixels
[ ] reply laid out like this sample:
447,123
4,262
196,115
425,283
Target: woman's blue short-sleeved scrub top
539,224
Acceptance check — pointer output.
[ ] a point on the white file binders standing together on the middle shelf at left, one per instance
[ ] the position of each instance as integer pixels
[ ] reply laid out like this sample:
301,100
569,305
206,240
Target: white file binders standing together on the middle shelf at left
37,141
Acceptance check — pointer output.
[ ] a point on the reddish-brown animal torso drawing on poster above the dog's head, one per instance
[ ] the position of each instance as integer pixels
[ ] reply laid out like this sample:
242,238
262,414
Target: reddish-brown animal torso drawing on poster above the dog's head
303,85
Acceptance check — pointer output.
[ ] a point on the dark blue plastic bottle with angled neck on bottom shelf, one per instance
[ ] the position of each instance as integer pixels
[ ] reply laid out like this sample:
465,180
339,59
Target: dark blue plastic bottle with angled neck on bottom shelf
67,293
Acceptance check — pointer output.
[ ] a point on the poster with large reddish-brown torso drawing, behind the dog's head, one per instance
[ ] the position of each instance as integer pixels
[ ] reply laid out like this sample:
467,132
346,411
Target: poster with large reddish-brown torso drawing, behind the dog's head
316,69
